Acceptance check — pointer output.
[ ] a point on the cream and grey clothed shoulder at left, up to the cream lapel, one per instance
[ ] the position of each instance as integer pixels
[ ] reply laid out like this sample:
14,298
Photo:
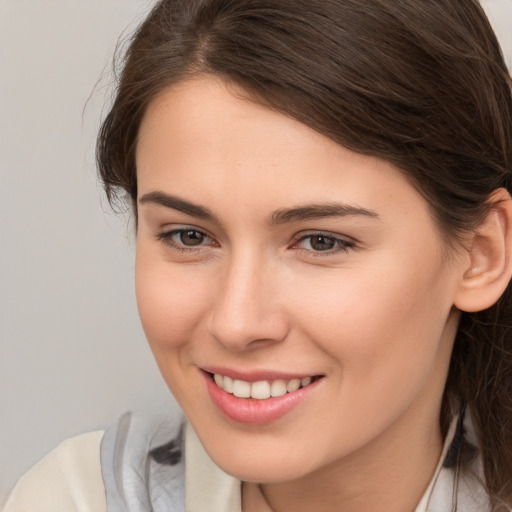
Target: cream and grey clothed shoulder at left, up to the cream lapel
136,465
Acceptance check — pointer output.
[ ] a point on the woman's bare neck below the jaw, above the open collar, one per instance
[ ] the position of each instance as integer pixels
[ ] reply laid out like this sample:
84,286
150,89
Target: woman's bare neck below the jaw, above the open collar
390,475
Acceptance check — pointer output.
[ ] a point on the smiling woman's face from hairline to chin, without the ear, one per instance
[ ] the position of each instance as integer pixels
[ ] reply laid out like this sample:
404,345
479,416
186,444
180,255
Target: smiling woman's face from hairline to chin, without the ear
268,253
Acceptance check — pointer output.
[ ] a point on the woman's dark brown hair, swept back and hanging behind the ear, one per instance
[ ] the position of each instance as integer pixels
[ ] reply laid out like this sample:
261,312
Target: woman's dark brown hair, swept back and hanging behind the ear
419,83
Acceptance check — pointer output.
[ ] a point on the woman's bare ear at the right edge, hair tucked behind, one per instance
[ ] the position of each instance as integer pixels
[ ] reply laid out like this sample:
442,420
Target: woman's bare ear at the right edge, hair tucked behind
489,270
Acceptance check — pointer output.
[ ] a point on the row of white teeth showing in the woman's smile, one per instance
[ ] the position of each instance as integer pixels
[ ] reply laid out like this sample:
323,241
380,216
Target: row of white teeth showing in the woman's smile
263,389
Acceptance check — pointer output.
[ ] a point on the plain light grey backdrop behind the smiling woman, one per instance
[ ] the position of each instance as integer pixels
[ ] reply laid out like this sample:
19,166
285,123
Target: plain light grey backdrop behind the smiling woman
72,353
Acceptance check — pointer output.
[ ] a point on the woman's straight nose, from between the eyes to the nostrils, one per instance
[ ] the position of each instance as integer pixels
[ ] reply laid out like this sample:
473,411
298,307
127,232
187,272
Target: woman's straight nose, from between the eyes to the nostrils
247,311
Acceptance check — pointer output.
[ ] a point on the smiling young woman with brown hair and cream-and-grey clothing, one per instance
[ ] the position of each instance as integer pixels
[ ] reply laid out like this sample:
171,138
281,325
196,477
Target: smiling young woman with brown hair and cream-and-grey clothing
324,255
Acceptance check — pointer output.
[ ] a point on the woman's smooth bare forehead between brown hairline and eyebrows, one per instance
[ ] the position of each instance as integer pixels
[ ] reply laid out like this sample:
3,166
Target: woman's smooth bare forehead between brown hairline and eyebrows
203,141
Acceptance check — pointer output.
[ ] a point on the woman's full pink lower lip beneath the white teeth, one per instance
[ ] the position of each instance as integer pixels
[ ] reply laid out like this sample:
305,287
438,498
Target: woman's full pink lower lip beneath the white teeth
256,412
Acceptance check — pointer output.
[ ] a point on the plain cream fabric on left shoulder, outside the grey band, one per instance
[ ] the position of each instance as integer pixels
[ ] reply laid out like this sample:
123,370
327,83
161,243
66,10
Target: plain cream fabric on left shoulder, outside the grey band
68,479
